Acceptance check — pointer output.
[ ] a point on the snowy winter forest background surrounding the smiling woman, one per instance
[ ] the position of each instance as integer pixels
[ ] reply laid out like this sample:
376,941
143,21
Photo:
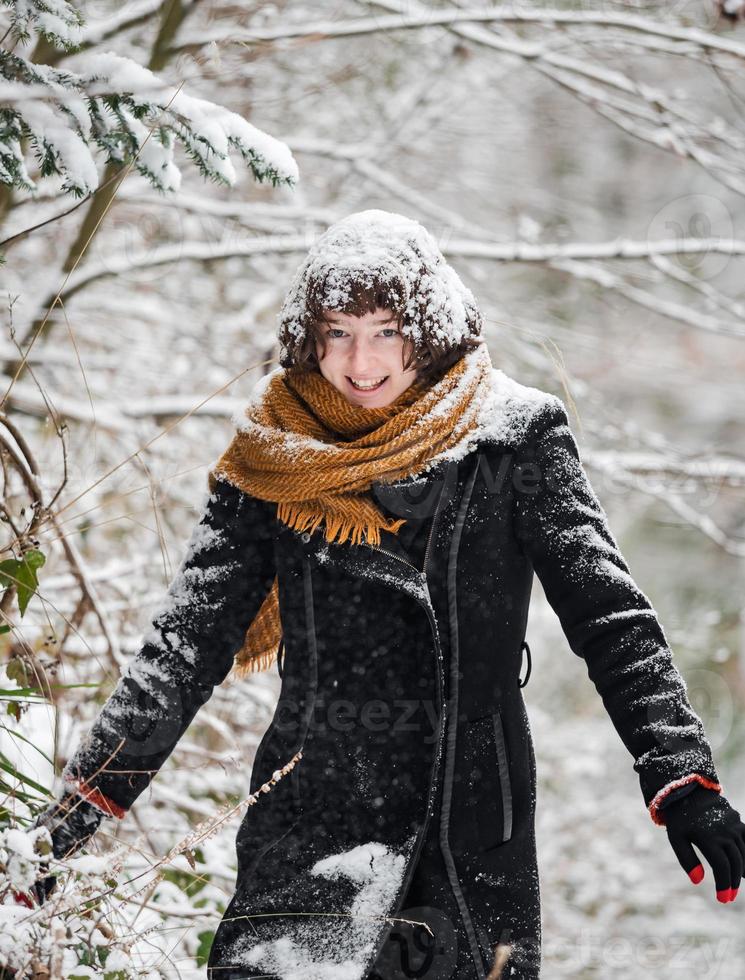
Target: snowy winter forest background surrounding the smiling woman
164,167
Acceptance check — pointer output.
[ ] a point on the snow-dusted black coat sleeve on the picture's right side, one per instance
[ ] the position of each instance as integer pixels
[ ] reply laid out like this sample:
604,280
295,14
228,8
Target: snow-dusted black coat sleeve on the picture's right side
606,618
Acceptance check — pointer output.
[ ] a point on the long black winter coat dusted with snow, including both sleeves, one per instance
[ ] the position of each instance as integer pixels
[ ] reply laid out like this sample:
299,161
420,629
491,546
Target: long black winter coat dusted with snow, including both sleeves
401,672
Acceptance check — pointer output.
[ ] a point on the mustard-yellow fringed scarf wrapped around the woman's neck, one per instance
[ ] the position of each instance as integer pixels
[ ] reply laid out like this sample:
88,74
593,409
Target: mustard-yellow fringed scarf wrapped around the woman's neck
303,445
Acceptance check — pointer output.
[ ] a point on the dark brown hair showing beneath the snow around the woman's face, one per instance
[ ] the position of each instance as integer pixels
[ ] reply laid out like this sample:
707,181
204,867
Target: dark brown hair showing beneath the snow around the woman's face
432,360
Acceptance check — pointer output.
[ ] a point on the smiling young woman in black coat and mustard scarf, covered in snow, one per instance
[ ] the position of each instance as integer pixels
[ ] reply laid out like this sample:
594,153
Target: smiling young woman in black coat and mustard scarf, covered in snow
374,526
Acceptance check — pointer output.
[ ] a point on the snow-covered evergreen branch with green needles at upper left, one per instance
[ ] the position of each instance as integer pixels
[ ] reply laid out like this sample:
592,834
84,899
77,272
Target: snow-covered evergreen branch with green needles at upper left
110,103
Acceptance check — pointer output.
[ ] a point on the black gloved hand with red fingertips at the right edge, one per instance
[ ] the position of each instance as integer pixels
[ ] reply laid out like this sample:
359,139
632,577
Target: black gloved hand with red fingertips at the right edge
704,817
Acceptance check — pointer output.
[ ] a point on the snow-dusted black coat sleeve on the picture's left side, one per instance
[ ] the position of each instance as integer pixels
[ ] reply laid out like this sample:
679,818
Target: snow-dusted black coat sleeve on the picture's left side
227,571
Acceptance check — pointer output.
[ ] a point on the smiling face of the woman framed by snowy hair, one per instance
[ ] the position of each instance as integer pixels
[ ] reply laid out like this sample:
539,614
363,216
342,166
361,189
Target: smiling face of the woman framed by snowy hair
365,349
